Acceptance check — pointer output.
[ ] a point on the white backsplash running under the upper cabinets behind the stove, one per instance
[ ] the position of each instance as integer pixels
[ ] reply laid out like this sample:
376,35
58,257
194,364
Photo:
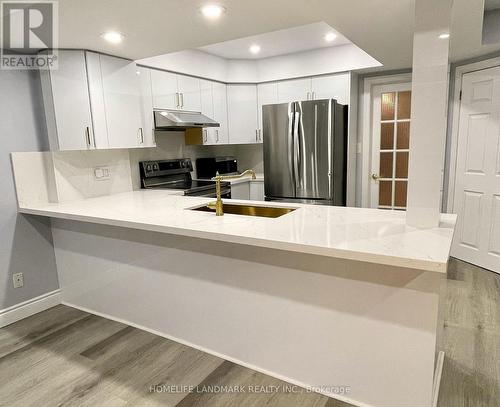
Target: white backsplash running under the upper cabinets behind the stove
69,175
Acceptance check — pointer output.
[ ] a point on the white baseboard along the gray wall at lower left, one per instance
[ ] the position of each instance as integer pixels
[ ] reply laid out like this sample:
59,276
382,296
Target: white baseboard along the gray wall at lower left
27,308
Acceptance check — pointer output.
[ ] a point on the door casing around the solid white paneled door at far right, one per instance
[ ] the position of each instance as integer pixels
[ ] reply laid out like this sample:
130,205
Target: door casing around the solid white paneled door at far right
454,120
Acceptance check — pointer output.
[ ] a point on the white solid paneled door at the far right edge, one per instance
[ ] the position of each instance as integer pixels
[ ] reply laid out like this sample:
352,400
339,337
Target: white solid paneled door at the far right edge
477,180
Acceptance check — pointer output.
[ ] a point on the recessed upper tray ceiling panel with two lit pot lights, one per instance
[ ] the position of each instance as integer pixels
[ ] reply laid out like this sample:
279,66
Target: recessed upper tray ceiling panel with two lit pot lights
291,40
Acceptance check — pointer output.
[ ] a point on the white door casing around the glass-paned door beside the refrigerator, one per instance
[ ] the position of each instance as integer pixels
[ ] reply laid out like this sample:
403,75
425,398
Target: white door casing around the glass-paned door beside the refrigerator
365,127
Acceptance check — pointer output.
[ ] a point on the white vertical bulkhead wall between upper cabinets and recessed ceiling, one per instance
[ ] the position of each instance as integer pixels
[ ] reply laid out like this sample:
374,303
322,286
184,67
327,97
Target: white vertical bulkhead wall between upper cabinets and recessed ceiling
321,61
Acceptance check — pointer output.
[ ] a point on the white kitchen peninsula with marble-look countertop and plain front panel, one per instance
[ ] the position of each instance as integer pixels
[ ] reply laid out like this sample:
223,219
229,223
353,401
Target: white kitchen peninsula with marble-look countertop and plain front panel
340,300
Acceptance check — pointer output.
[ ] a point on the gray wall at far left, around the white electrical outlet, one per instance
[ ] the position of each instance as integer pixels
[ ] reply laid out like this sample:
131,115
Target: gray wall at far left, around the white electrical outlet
26,241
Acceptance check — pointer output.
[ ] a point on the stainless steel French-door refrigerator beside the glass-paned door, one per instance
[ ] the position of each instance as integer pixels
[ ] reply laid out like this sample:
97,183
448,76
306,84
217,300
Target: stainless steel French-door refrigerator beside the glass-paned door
305,152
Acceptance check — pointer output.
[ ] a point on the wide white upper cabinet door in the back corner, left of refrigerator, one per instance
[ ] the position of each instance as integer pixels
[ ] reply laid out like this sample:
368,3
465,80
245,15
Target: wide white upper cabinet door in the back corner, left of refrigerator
242,114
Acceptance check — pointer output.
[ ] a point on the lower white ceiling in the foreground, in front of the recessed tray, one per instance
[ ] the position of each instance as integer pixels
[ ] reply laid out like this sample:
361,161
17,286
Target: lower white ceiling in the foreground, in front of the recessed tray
382,28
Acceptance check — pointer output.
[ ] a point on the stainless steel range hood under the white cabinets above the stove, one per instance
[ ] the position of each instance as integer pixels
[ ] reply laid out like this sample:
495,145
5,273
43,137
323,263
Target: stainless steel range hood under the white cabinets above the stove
180,120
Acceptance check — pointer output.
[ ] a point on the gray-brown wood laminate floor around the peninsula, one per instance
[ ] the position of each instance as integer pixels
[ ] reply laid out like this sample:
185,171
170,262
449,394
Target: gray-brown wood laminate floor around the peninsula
66,357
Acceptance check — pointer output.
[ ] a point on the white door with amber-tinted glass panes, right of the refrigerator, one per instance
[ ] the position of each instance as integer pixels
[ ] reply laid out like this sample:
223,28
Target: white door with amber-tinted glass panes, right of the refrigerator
390,146
